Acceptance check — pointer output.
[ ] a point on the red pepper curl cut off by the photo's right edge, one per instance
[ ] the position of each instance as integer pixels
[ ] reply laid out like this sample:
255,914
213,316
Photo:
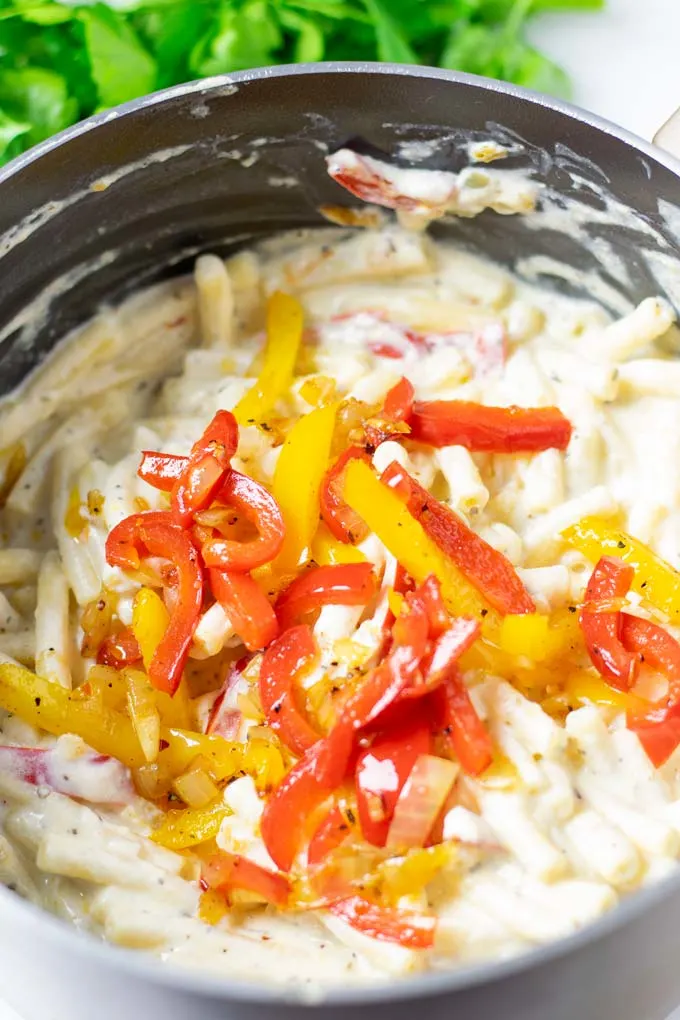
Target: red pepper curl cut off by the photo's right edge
659,731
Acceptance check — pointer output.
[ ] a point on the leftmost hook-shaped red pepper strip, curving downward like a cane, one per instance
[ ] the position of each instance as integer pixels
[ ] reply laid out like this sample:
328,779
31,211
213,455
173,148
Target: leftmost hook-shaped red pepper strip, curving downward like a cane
152,535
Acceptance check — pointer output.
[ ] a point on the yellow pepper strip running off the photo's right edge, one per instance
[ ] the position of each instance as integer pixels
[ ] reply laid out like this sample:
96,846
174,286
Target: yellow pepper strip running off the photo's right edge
655,580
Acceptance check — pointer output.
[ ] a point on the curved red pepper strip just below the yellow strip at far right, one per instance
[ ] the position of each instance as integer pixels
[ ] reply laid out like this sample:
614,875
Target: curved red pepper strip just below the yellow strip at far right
610,581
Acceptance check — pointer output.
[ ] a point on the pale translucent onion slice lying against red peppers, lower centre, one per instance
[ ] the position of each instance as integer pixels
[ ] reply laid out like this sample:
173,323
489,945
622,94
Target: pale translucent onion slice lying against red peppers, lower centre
421,802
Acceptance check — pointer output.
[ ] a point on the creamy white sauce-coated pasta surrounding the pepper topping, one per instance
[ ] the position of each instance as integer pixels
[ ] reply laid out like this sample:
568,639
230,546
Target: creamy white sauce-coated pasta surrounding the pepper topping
578,817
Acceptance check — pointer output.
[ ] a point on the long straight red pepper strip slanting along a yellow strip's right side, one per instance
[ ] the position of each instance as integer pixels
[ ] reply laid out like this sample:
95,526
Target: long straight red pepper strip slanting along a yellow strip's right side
491,573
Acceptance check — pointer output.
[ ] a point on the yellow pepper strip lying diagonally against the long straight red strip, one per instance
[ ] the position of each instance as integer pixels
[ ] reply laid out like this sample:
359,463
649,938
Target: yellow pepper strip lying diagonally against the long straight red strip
391,520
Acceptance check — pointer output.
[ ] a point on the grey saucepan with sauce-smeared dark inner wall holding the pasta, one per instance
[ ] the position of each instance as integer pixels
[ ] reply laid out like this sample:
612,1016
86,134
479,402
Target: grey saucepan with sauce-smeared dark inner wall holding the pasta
133,195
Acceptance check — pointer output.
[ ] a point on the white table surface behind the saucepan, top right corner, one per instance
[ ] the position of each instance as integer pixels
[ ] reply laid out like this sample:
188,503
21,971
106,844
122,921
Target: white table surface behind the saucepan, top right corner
624,65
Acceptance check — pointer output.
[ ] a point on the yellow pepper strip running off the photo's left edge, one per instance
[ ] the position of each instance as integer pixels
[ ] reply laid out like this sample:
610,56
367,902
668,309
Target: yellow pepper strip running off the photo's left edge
49,707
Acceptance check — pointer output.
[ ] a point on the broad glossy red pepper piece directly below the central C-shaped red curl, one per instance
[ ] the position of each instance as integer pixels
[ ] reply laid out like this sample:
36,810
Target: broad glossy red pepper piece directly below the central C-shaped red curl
288,809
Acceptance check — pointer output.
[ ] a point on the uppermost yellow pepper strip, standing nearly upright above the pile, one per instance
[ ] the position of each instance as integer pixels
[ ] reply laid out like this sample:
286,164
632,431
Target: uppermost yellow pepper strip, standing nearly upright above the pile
285,328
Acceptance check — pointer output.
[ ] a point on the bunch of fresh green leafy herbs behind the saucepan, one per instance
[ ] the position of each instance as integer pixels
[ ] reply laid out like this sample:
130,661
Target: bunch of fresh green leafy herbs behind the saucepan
61,61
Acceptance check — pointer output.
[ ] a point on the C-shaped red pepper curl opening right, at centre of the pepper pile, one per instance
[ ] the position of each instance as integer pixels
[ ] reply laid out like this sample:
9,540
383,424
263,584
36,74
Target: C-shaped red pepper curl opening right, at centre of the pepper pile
283,661
